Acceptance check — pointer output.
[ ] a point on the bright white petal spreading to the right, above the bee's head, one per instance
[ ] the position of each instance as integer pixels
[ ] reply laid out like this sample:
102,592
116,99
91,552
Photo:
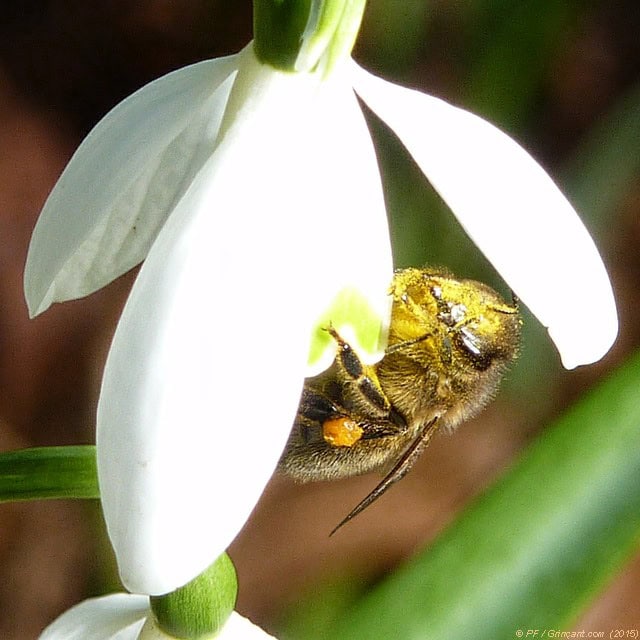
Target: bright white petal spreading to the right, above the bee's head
513,211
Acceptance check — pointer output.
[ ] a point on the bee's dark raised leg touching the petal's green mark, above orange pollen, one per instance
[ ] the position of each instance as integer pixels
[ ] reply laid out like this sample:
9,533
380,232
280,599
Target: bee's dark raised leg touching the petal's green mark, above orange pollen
361,379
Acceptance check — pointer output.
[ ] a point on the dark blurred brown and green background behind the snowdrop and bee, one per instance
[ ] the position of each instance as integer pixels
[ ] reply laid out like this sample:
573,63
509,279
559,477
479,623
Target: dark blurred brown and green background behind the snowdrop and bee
563,77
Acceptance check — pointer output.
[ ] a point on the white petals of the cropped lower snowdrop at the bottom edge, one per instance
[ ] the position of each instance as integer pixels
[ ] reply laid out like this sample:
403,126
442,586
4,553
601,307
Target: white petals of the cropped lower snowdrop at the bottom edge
124,616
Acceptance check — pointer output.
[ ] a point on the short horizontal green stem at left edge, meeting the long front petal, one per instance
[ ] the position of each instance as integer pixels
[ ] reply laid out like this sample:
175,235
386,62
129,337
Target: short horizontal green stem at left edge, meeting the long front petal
49,472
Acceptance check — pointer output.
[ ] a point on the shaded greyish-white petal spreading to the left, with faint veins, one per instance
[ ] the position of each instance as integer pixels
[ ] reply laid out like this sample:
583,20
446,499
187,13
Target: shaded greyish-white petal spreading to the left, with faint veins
123,181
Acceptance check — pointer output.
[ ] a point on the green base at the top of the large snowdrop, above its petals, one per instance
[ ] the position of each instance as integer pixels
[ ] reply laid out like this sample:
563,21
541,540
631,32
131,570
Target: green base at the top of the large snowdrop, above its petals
300,35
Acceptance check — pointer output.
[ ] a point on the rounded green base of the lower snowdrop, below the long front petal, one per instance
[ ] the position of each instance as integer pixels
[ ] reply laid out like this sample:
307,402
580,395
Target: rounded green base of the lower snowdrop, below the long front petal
199,609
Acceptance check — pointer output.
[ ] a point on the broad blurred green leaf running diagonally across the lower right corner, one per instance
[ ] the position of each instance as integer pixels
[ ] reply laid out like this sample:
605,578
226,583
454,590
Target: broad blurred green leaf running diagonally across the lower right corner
535,549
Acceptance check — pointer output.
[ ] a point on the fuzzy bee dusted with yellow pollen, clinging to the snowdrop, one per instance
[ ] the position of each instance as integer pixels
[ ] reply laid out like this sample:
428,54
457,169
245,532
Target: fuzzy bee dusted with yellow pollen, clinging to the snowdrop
450,342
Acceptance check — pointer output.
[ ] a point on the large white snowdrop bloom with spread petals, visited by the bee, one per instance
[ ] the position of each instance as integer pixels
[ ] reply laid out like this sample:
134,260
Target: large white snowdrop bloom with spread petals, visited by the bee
254,198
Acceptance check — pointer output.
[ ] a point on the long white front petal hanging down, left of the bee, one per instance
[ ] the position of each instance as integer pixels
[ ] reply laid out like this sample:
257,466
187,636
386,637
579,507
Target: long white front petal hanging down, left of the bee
204,375
